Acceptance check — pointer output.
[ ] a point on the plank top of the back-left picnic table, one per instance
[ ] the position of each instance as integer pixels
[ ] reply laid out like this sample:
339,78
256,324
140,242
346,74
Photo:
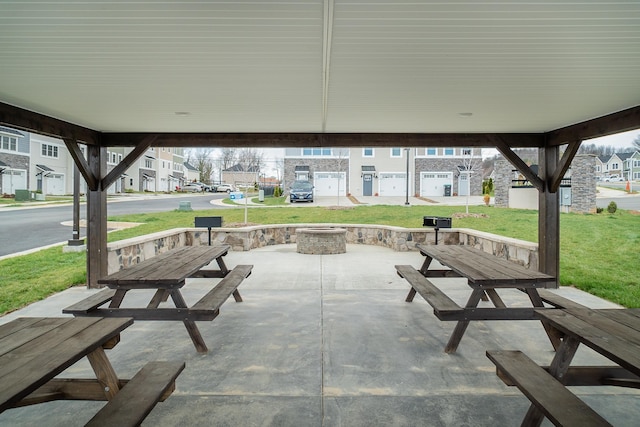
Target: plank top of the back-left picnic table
167,268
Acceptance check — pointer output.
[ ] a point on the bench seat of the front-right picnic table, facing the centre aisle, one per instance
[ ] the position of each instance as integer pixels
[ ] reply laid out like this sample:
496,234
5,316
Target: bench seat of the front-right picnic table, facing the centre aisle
549,395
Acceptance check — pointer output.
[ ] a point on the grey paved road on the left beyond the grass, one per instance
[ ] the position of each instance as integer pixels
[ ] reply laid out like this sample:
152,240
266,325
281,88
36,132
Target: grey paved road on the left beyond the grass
23,229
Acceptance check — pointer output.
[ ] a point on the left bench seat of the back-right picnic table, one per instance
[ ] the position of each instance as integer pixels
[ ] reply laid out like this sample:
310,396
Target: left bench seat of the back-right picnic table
443,307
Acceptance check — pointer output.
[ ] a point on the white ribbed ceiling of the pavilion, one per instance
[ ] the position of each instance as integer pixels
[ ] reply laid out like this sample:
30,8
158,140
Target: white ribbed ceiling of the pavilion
310,66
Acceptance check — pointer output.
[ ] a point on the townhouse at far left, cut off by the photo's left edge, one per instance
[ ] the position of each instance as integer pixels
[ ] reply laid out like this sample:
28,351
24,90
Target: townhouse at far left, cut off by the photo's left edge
14,160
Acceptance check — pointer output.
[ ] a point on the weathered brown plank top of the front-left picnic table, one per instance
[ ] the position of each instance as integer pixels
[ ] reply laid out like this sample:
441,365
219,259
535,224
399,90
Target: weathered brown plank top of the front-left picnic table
30,366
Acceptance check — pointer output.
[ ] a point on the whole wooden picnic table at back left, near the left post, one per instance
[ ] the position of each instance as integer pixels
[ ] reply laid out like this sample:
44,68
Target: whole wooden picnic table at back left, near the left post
167,273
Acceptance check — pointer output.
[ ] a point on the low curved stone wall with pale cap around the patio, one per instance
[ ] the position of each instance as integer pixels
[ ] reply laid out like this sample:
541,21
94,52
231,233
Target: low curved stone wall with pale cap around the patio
127,252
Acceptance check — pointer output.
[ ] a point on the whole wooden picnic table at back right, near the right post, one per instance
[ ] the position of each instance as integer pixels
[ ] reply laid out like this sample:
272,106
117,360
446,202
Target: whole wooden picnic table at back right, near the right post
485,274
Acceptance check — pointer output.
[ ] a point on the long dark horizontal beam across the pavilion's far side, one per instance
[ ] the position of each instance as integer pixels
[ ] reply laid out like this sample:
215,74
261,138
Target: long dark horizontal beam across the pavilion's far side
279,140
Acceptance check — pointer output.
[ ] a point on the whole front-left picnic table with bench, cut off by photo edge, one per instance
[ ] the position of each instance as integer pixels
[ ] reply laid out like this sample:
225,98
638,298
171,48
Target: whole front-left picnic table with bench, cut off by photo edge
33,351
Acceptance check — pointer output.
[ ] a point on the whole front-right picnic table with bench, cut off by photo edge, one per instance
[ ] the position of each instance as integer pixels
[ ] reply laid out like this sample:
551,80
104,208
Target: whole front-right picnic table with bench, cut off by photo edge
613,333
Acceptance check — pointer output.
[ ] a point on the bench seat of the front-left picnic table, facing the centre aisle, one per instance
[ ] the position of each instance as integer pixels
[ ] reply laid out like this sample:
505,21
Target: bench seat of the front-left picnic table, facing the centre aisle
152,384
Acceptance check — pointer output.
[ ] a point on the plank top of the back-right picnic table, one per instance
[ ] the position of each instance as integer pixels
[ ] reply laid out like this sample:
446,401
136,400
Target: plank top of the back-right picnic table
482,268
